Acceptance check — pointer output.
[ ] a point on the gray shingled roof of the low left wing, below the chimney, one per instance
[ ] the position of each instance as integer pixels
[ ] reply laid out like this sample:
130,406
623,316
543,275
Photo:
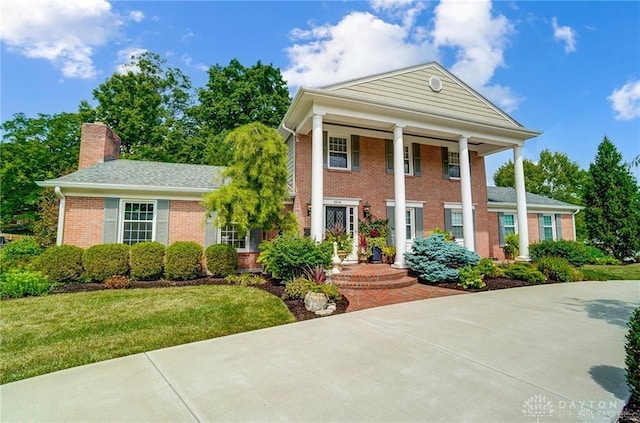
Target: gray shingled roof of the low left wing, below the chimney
144,174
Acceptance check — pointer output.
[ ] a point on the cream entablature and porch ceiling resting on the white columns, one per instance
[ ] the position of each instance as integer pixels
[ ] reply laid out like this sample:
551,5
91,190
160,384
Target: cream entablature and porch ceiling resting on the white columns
377,119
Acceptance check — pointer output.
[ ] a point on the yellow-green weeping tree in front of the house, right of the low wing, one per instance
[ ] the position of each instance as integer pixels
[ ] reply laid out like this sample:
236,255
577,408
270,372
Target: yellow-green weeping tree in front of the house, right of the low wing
256,182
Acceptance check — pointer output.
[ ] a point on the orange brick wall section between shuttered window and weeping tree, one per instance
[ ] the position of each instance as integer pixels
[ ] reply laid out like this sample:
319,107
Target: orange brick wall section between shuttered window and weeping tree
186,221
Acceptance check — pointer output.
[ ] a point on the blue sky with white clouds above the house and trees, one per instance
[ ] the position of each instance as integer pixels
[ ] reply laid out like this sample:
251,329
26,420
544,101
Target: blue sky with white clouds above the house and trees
569,68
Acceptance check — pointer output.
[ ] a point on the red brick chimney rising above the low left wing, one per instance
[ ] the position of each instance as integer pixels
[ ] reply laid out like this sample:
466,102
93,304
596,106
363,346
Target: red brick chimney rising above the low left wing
98,144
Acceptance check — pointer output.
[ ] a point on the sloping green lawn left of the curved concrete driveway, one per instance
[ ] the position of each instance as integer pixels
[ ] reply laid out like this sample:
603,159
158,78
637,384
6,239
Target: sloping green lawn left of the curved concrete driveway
44,334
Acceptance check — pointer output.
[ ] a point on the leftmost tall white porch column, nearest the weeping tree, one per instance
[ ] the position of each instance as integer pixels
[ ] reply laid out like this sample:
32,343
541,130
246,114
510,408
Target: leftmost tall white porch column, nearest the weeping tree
317,170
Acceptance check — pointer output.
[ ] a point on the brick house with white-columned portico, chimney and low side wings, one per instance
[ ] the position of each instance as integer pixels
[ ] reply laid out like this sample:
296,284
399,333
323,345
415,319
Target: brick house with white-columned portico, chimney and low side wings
345,142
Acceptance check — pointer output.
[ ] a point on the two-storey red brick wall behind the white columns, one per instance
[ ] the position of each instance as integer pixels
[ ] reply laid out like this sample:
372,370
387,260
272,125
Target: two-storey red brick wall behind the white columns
375,185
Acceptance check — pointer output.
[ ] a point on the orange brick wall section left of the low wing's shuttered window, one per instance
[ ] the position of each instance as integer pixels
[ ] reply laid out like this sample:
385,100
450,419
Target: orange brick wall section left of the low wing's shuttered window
83,221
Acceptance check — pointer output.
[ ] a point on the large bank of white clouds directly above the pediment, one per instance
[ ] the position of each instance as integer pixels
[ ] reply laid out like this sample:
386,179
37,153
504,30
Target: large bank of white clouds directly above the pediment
364,43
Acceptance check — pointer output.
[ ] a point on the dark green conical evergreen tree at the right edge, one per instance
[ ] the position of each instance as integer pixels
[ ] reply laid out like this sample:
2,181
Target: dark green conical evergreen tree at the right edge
612,200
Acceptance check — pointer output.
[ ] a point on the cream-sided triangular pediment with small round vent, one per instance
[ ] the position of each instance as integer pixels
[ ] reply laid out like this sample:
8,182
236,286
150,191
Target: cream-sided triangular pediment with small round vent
427,87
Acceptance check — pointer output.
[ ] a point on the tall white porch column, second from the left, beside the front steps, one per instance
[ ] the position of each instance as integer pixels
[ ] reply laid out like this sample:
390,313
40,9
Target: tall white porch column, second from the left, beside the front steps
400,198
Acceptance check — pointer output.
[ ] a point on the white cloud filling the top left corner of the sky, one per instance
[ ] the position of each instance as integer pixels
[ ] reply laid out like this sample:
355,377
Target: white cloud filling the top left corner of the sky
65,32
